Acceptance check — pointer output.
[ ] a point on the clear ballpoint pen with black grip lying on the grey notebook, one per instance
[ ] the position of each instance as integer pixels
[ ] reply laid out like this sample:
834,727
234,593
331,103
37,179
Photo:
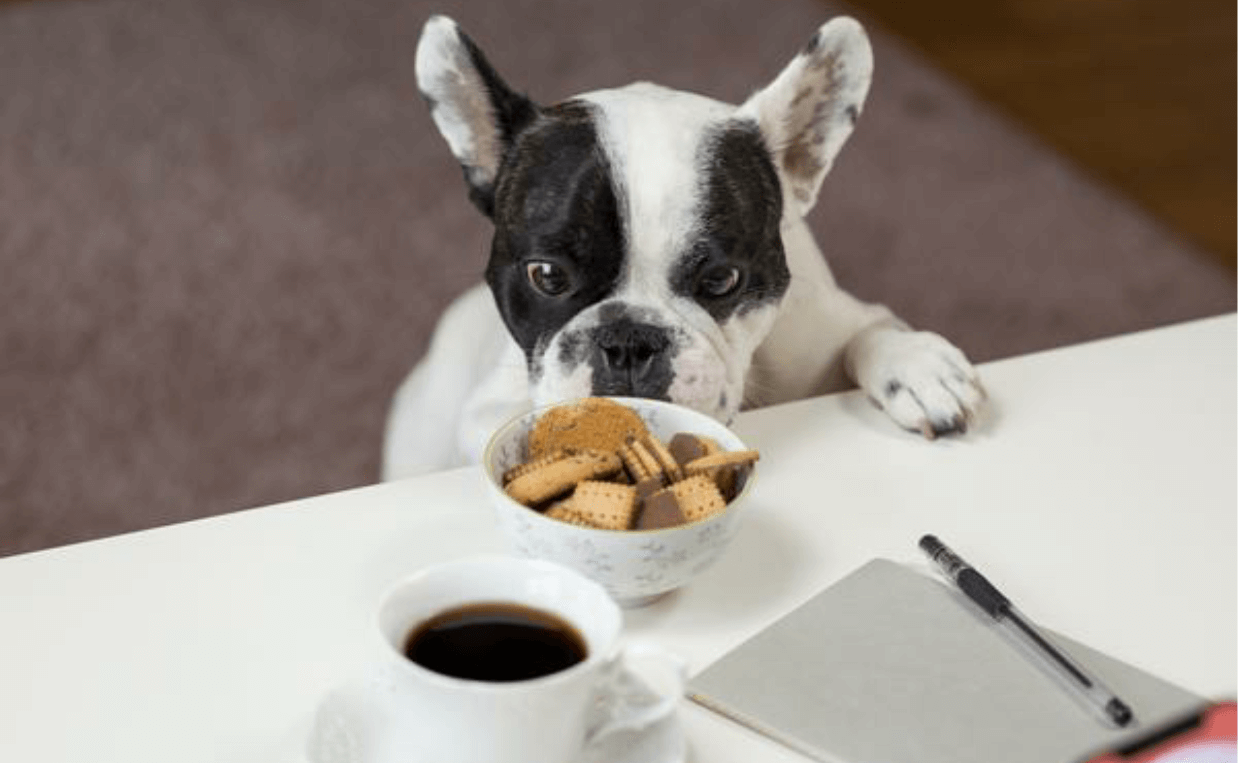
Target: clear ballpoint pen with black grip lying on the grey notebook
976,588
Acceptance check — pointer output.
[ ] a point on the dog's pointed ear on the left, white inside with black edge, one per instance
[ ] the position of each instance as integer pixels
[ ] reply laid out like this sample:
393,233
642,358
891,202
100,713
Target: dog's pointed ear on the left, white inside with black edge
477,113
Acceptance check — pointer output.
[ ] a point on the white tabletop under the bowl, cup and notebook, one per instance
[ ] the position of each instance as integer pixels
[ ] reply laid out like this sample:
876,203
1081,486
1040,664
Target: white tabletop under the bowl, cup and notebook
1100,495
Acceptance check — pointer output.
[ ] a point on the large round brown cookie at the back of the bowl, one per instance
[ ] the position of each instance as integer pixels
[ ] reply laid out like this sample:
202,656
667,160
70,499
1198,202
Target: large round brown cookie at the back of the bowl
591,424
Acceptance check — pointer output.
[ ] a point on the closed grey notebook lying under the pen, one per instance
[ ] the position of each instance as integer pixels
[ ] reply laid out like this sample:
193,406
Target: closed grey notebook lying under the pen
892,667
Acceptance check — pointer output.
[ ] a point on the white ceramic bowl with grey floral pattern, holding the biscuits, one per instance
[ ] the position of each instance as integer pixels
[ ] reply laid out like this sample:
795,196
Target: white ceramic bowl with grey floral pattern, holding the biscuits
634,567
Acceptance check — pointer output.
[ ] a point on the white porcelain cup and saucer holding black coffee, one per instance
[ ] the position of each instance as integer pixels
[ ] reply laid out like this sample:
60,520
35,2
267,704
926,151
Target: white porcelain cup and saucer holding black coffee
404,713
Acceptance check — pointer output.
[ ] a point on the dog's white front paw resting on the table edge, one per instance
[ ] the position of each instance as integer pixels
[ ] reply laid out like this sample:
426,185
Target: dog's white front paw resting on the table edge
919,380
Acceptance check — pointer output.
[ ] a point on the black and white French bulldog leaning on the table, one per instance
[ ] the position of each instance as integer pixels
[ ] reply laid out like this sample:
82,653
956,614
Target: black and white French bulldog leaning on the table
652,243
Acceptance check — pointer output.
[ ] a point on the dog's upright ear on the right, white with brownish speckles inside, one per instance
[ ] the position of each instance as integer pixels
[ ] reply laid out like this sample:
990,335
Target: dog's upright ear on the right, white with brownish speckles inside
810,110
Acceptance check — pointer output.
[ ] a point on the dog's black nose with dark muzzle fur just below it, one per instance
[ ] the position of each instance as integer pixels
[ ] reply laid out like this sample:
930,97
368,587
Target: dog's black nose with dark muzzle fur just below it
632,360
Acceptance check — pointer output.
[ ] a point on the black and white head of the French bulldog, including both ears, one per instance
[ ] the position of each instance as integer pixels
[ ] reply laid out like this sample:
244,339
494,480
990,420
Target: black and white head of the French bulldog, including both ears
638,232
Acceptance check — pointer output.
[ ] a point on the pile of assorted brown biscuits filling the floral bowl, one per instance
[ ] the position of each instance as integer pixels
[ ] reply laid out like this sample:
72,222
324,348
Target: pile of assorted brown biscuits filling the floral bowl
596,464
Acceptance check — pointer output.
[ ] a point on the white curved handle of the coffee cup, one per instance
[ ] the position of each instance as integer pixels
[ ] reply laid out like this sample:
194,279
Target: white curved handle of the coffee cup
626,702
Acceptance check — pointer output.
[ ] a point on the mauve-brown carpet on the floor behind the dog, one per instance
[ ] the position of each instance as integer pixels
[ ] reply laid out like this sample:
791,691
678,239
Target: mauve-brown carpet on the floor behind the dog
227,229
